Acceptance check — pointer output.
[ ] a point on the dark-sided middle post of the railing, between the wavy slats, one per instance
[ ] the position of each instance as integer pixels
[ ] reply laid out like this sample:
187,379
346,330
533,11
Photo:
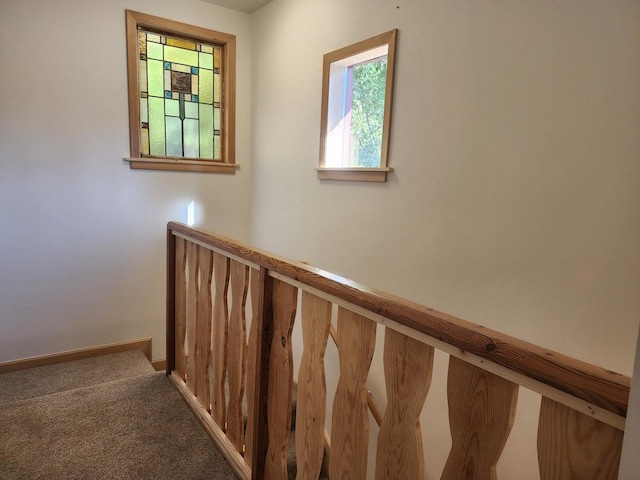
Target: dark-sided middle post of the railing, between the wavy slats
262,331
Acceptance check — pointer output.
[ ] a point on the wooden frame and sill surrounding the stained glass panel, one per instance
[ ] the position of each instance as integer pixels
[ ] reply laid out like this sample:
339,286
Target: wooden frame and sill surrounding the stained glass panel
228,44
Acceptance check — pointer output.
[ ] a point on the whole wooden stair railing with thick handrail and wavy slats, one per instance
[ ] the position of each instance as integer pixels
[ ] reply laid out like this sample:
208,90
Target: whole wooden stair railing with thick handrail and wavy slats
216,367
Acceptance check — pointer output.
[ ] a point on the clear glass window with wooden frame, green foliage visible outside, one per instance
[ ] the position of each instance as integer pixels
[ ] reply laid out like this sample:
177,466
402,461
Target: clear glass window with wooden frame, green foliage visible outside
356,110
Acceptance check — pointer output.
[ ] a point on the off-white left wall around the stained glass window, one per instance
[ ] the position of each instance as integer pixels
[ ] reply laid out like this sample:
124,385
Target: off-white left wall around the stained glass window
81,235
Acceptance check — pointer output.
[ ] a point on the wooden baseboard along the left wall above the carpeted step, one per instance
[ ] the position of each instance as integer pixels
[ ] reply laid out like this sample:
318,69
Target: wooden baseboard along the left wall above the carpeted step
142,344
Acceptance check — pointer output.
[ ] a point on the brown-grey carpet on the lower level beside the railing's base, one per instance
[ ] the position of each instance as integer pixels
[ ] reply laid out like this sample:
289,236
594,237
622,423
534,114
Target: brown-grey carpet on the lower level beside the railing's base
132,428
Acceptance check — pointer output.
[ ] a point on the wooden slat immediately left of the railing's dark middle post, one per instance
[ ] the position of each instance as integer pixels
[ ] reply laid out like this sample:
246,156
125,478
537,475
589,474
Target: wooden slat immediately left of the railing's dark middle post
252,346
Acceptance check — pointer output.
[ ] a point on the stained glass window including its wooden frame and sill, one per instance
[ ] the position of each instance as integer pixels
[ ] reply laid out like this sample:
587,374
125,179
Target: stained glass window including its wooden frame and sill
181,103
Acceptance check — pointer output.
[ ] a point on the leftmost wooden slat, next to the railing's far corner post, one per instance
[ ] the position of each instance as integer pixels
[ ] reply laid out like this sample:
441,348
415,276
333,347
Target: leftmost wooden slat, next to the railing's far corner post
180,307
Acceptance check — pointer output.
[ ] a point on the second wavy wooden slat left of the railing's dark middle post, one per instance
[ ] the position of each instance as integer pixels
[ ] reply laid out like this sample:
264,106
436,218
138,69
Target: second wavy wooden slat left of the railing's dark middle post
239,281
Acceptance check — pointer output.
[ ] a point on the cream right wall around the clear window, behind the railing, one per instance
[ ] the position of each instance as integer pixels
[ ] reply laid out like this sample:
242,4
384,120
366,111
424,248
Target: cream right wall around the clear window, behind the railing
514,202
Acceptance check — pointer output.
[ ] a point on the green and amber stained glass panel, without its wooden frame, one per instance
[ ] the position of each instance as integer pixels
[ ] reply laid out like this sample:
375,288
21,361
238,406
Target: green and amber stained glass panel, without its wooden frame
180,97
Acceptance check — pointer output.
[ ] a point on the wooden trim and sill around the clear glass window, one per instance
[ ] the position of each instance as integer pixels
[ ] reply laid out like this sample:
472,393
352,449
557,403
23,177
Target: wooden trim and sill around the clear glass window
362,174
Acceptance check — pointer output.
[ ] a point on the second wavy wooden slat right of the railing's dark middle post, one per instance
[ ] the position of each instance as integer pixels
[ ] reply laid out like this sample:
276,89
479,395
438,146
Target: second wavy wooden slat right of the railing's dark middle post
312,390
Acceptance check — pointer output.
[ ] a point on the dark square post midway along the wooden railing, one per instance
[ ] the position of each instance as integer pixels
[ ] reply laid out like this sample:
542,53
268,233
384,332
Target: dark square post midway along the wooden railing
258,416
